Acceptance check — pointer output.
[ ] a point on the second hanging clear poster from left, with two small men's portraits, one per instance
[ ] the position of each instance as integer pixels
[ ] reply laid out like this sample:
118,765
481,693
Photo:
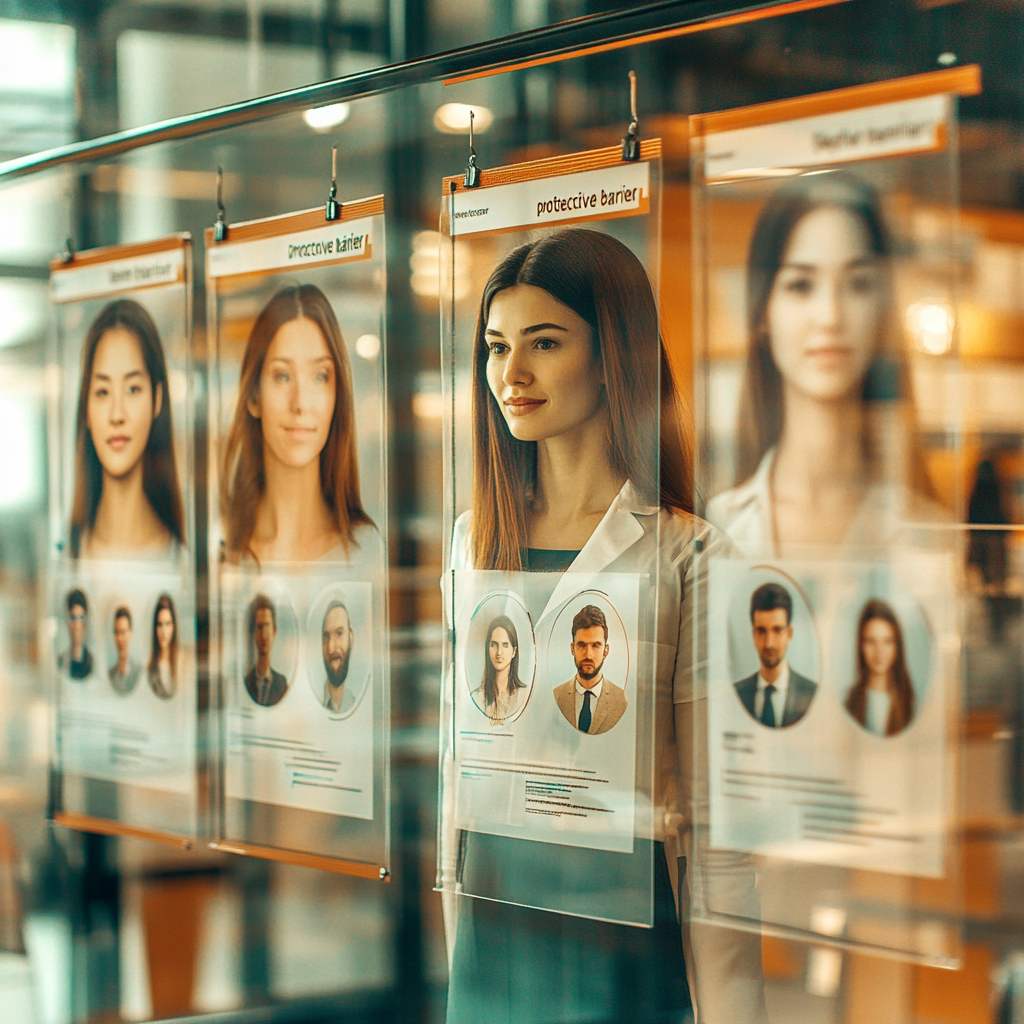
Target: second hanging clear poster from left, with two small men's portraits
304,765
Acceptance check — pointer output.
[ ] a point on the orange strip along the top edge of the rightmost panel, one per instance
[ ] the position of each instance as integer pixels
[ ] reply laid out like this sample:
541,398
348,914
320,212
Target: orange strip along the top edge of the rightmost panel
964,81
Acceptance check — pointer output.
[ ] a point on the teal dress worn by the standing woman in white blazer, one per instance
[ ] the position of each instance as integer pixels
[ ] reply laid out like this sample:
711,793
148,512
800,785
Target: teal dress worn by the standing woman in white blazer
516,965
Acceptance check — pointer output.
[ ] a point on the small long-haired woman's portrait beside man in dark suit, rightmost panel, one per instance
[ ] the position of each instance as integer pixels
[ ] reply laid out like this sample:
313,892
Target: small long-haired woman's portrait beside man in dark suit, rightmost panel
882,700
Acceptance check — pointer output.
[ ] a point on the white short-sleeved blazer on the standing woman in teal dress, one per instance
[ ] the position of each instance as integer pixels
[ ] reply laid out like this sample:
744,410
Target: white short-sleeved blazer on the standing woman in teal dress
723,965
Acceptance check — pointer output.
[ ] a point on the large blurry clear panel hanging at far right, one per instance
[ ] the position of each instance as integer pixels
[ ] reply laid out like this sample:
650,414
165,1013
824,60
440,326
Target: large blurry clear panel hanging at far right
826,291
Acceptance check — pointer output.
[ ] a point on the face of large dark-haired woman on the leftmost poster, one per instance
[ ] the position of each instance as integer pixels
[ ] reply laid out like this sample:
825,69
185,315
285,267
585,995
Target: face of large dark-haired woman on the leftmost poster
121,404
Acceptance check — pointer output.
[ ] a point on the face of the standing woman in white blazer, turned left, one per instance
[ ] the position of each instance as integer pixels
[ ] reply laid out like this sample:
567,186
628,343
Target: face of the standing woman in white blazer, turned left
542,368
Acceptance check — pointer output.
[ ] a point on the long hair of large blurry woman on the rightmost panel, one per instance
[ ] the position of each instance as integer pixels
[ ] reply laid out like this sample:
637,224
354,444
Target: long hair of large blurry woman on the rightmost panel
887,382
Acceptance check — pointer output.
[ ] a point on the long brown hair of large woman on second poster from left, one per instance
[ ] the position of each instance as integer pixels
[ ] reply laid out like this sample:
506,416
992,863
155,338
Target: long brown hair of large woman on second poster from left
243,470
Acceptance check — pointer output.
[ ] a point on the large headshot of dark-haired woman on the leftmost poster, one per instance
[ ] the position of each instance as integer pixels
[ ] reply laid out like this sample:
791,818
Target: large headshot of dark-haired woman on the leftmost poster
126,497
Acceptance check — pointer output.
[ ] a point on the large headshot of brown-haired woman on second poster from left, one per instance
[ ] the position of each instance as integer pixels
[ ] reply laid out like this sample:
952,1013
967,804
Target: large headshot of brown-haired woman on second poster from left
291,480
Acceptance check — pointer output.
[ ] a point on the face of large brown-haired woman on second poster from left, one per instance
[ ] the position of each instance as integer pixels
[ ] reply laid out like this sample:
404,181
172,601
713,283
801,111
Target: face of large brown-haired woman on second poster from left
297,391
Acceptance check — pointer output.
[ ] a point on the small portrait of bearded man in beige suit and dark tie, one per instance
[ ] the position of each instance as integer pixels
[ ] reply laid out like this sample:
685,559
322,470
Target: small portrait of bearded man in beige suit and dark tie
588,701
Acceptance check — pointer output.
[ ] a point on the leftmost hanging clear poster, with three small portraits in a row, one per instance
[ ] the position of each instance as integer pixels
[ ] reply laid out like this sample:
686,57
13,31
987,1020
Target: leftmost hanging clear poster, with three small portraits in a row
126,708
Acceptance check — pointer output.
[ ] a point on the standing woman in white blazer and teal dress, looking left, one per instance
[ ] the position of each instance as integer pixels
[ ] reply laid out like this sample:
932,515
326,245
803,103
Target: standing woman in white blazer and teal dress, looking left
566,477
